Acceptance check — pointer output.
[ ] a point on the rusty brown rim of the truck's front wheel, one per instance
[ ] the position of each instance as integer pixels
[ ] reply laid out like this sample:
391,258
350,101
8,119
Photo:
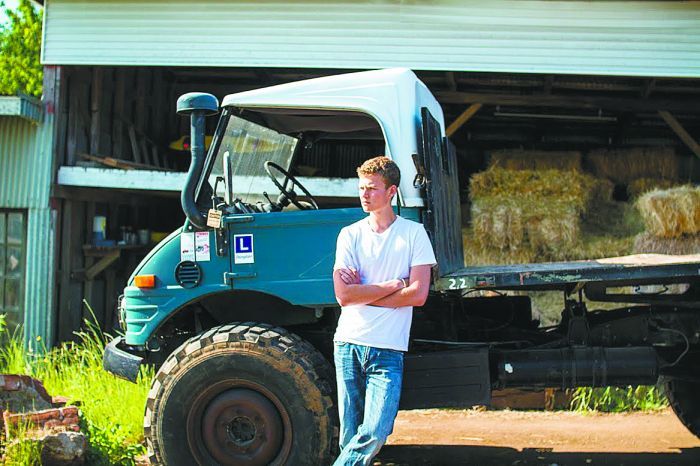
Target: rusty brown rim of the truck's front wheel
239,424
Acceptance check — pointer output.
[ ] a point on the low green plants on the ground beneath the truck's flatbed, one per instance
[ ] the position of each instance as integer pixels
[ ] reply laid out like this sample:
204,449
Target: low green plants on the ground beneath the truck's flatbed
615,400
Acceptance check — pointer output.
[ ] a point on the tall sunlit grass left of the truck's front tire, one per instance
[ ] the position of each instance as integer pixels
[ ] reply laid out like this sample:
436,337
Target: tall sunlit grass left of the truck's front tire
112,409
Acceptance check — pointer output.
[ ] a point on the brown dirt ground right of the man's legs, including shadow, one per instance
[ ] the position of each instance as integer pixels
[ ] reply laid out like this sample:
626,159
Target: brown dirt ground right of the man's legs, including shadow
483,438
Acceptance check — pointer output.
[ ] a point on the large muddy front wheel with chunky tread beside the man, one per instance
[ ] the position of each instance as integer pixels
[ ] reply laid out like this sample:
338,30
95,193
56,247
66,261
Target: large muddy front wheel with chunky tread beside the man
242,394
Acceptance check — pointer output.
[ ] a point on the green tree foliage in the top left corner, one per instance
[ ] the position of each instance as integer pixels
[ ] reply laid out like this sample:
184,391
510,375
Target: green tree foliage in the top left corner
20,49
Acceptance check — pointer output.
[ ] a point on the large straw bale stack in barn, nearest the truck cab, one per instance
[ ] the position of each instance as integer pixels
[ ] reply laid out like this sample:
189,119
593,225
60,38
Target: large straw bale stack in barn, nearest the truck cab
528,212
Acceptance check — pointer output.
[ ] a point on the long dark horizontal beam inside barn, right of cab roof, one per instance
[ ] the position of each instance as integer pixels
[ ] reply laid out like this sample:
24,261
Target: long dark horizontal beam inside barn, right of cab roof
636,104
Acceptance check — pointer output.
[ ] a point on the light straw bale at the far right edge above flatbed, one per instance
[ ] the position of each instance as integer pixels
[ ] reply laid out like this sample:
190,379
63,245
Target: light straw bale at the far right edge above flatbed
672,221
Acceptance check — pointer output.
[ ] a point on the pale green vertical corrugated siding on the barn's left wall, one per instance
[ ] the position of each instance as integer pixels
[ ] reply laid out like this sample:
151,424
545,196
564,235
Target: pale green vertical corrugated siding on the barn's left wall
25,181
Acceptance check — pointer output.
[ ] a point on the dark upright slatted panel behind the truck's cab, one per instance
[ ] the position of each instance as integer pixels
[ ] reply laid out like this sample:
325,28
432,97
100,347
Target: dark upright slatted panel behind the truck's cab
437,177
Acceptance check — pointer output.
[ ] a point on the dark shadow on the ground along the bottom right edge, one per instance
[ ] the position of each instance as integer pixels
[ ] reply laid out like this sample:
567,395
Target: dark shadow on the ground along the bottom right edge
400,455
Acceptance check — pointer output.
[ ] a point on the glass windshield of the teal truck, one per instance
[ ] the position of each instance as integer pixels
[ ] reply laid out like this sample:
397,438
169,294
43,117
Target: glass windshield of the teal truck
249,146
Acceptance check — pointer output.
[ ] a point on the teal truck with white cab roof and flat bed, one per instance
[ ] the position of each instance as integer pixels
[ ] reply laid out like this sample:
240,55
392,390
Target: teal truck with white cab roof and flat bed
236,308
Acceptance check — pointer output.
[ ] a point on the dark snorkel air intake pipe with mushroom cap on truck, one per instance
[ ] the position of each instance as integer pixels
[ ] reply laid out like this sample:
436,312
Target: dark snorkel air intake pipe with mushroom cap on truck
198,105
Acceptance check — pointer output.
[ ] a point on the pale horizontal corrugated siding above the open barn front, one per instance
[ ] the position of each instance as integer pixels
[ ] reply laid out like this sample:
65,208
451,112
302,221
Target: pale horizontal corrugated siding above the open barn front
604,37
